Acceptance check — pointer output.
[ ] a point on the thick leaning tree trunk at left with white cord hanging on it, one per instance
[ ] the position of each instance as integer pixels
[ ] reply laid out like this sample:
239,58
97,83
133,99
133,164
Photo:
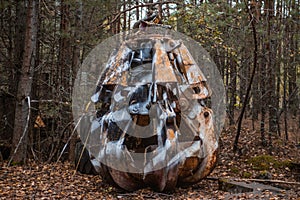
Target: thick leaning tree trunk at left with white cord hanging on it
22,111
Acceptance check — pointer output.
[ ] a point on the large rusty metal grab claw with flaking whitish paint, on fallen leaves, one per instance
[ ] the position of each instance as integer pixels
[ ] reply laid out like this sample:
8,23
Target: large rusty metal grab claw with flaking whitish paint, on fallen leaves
153,85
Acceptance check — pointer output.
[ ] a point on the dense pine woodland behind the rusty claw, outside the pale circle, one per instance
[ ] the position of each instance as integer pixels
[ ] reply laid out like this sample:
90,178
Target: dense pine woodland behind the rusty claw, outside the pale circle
255,45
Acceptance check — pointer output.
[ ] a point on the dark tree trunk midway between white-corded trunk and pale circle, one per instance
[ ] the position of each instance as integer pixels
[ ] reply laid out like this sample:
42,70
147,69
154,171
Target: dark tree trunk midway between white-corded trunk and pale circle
64,80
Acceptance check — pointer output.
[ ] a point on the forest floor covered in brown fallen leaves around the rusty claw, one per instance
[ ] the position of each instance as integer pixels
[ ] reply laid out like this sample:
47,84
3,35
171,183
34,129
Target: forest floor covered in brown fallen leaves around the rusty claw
61,181
